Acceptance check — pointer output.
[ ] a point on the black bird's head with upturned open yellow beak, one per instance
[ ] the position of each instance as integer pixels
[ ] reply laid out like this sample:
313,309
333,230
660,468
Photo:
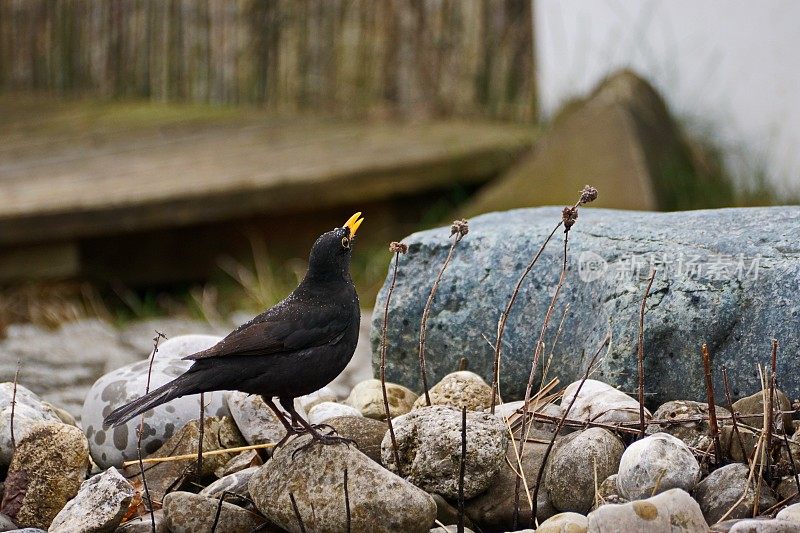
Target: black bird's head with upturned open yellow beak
330,255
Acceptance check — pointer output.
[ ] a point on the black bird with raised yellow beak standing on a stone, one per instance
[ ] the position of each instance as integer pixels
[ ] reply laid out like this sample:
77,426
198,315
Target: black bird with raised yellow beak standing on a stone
292,349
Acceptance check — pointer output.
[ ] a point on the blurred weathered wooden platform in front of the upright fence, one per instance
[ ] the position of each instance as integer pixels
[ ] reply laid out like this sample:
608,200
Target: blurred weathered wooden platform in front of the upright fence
117,173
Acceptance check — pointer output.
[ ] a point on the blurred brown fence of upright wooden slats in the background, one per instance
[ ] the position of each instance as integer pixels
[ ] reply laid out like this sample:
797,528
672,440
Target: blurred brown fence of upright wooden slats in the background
347,57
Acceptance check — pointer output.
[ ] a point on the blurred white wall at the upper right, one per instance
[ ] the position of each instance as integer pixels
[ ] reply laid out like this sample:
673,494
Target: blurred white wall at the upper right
729,68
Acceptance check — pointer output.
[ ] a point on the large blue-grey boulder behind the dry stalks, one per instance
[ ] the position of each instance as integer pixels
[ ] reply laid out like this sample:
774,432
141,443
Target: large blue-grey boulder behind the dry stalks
727,277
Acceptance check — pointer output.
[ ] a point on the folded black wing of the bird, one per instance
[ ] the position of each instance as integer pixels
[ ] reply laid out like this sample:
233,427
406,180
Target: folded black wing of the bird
285,328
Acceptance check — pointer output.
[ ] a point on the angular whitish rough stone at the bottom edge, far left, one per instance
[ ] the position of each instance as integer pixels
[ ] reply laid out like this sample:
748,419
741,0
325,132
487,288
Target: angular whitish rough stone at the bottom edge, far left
101,503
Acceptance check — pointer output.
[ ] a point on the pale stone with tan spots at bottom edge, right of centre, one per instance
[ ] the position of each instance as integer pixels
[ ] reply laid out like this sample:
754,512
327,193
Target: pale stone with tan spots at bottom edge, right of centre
673,510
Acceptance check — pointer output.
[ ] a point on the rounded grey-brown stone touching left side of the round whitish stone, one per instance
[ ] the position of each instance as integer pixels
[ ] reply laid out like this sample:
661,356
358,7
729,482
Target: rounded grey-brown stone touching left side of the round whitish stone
575,462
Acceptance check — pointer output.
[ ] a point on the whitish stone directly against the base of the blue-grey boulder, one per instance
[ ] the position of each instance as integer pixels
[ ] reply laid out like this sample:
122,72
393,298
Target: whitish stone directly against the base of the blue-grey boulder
600,402
